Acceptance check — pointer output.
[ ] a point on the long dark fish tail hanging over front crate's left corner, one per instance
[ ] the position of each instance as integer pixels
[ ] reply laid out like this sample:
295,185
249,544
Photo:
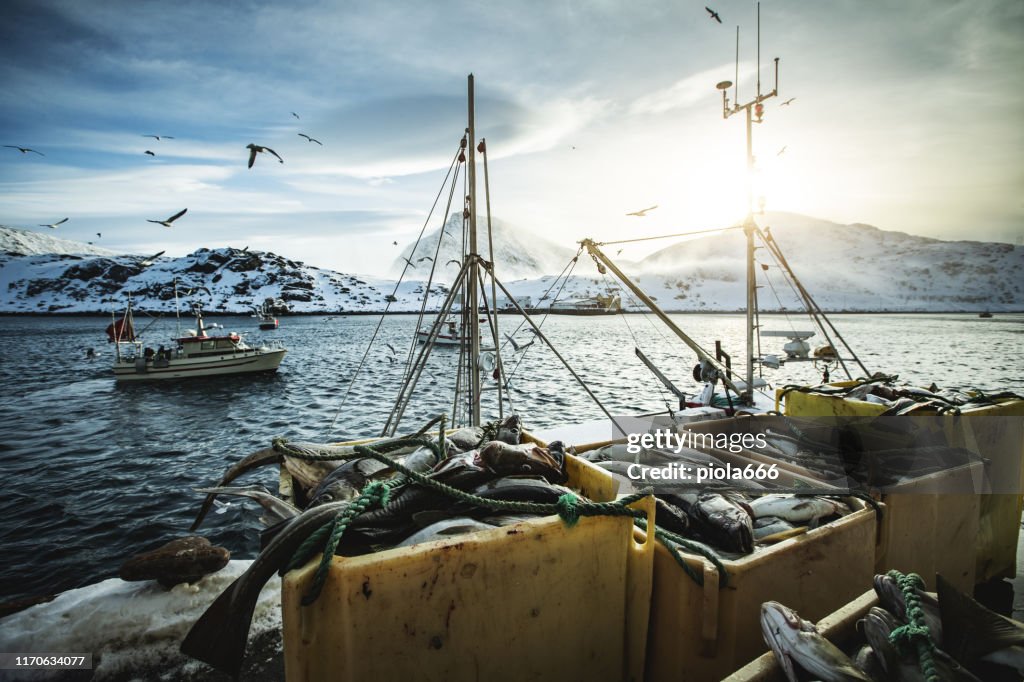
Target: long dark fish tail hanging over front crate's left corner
219,637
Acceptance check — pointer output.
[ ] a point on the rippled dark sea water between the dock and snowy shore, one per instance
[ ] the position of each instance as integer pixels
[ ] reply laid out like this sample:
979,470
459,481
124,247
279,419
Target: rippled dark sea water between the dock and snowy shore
97,472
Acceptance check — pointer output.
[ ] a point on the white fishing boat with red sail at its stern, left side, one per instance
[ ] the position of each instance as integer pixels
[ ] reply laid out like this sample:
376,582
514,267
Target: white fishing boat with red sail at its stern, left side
194,355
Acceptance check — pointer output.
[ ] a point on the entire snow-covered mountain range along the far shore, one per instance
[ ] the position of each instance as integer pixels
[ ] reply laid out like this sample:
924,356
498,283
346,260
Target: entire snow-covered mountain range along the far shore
846,268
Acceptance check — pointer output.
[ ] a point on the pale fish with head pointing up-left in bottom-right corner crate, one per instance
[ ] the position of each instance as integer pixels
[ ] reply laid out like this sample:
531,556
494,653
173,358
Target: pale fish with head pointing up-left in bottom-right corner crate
797,643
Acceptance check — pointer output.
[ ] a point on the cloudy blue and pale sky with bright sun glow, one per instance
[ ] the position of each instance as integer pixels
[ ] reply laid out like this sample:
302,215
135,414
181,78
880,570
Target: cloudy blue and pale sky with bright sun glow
907,116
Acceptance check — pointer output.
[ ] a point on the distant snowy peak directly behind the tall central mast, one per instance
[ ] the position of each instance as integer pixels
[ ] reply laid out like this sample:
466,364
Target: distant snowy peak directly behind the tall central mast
519,253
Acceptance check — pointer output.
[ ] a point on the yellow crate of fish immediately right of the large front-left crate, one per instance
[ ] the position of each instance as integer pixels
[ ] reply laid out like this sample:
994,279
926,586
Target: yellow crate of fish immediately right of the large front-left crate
704,633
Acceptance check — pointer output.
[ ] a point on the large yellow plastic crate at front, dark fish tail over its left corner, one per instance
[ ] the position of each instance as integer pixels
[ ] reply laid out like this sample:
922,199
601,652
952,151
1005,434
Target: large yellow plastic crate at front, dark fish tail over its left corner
534,602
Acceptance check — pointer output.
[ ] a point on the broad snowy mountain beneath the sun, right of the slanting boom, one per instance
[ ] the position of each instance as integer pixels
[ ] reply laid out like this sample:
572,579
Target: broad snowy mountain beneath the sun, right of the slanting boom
854,268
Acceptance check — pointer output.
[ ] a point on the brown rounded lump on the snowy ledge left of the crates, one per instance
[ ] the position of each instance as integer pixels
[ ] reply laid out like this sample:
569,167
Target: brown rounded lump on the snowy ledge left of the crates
183,561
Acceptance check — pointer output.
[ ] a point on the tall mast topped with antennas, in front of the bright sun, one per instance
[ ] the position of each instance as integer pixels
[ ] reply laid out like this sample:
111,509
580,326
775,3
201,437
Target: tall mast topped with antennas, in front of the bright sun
755,112
